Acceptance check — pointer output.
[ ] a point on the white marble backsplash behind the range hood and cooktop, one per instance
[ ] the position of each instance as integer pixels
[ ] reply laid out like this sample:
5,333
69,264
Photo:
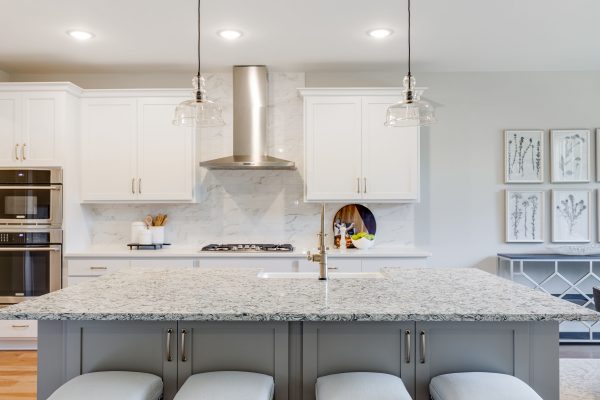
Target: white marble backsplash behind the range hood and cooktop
247,206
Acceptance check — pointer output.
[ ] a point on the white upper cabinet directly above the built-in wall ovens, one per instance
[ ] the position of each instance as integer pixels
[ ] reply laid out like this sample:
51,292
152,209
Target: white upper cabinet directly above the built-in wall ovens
33,120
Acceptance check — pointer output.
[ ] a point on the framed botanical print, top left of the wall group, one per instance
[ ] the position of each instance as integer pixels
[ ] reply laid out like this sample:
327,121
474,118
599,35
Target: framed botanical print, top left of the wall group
524,156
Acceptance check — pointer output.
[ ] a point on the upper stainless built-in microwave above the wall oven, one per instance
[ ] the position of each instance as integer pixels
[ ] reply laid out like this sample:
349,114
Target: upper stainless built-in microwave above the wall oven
31,197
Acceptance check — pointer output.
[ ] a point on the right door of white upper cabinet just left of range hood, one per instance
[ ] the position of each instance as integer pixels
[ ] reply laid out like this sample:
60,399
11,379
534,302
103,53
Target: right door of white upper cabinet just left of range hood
165,152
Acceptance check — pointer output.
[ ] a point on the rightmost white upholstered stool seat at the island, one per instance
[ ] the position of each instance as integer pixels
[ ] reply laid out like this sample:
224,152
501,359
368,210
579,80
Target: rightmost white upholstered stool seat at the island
480,385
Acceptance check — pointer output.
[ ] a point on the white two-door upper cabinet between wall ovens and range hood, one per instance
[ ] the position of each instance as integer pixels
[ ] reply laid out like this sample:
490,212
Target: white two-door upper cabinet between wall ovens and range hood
133,153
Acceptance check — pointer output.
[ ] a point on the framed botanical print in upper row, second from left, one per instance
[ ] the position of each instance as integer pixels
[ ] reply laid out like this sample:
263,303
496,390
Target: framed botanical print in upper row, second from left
570,155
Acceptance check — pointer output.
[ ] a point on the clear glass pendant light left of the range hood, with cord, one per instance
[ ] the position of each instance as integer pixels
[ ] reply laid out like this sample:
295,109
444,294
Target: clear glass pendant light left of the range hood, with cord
200,110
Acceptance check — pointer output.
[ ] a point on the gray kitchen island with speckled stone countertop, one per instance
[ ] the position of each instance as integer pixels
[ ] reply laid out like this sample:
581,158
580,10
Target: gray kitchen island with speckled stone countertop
410,322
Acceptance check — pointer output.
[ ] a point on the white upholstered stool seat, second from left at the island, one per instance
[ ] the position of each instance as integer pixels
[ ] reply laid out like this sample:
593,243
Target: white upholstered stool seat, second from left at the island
227,385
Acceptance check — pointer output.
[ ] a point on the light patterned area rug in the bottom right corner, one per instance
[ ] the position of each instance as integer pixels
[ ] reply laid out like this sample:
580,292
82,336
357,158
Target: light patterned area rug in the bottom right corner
579,379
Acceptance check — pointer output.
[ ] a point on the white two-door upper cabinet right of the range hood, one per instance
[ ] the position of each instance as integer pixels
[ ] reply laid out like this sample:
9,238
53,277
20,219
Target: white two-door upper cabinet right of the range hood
350,155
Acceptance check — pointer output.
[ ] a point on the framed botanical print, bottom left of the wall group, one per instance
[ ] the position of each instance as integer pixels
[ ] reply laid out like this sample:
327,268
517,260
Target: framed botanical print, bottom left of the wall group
524,216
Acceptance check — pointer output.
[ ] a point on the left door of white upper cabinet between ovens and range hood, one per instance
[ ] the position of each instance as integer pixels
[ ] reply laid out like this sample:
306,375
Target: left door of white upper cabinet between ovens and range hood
109,133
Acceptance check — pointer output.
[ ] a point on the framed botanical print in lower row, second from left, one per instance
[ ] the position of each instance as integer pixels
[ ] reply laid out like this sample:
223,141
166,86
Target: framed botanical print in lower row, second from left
571,215
